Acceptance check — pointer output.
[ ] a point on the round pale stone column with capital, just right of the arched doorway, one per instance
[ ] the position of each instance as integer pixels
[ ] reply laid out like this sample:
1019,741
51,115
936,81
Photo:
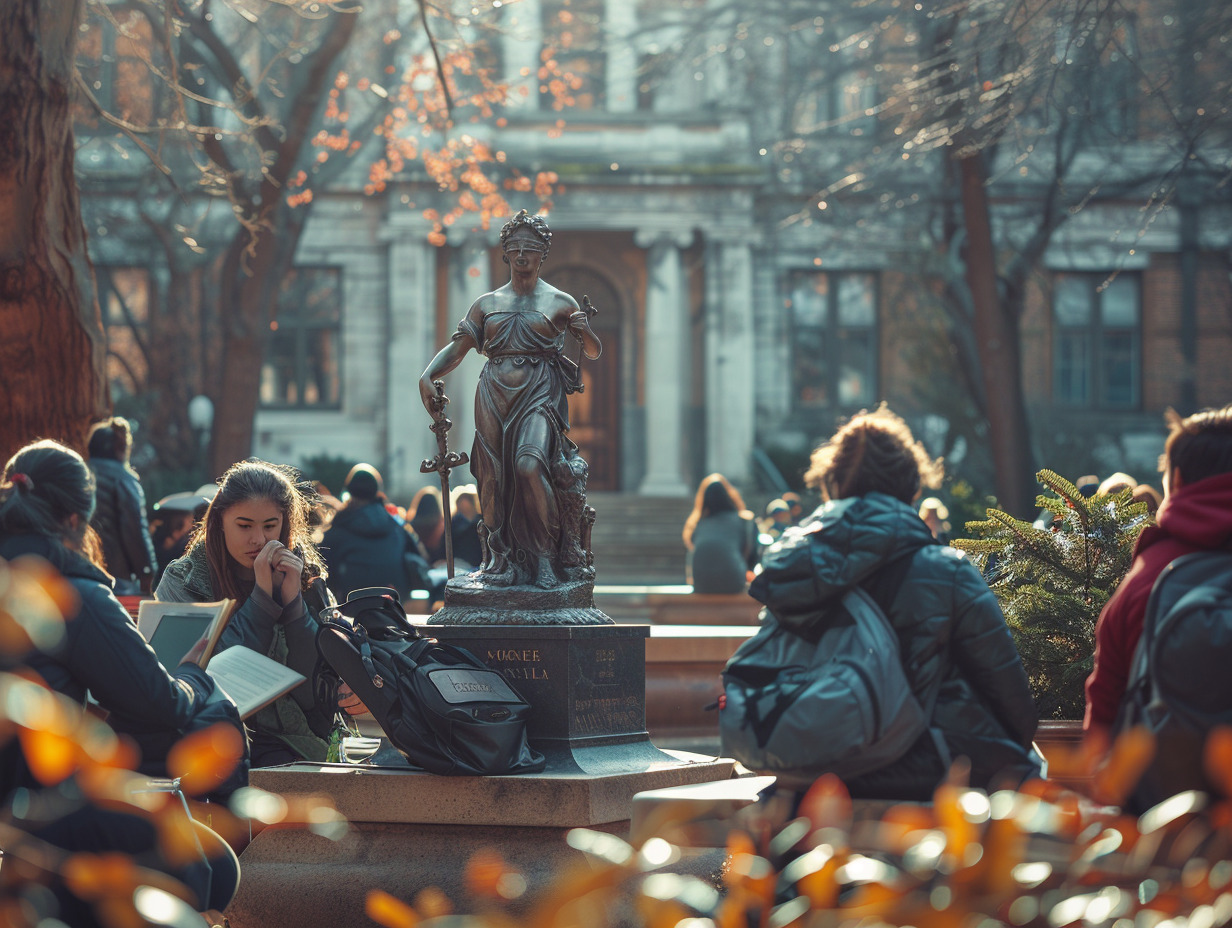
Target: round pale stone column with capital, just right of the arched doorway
667,376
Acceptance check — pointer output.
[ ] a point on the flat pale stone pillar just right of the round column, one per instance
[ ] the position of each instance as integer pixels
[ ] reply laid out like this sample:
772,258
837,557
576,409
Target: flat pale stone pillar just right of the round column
730,360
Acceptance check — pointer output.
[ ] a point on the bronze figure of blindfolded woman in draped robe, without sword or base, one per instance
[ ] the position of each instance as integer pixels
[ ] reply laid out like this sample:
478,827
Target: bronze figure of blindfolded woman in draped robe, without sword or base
530,476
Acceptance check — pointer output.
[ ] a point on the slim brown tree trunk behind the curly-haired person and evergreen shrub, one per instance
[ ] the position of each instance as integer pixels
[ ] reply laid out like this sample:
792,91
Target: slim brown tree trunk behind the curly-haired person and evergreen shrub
997,340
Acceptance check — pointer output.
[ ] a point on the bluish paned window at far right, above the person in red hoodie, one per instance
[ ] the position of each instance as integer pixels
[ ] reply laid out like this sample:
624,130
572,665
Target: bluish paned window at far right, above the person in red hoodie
1098,341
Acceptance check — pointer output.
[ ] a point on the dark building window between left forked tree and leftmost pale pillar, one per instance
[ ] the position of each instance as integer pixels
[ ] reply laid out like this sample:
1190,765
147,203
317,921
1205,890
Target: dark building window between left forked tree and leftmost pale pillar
304,357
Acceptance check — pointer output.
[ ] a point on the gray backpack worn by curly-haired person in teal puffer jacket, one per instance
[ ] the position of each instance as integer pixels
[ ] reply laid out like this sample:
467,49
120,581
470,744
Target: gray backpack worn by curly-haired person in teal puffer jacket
835,702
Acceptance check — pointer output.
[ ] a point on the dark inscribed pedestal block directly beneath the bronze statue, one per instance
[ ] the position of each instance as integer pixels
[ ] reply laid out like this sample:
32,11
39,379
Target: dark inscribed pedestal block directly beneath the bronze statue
587,686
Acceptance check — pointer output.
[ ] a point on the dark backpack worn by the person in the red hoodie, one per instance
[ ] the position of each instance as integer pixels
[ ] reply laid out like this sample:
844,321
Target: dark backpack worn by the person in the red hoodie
1180,687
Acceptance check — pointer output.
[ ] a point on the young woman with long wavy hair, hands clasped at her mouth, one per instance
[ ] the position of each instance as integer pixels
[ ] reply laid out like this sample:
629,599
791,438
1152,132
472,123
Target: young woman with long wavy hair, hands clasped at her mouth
254,548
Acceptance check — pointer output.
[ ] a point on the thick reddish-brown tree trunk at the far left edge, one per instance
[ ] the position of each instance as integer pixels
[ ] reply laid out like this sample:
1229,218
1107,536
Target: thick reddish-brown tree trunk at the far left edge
52,353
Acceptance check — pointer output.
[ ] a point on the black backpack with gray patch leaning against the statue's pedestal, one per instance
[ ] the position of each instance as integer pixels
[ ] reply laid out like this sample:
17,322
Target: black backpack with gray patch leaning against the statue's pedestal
438,704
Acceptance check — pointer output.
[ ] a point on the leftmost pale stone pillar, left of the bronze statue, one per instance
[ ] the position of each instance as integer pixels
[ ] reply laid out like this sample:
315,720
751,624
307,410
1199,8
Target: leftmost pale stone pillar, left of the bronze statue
411,346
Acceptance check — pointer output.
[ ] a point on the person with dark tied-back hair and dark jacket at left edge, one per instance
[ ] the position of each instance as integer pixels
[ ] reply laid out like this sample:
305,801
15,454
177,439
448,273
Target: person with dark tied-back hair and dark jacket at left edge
46,503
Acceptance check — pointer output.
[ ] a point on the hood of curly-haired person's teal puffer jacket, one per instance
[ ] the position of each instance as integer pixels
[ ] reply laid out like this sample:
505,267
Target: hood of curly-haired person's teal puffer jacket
836,549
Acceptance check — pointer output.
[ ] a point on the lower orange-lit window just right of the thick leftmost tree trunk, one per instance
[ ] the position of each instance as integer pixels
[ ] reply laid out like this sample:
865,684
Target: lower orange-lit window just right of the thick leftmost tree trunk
125,305
